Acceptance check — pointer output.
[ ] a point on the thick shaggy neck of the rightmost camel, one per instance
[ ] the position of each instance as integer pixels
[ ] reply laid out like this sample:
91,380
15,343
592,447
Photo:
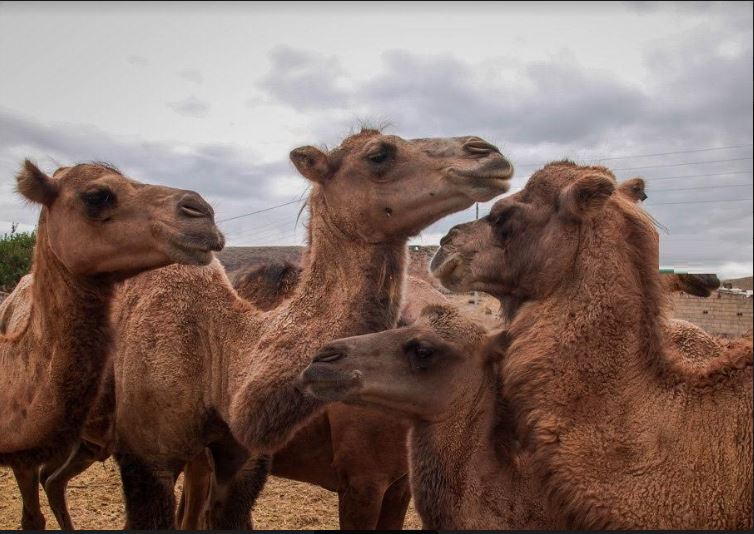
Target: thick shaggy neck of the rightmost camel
589,361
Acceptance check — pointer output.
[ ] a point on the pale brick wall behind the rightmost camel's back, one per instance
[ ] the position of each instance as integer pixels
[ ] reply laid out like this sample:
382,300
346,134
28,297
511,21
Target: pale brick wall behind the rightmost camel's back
722,314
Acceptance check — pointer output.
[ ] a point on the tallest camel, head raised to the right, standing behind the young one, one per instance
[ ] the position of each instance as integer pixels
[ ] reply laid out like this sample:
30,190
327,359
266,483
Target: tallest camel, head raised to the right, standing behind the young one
216,365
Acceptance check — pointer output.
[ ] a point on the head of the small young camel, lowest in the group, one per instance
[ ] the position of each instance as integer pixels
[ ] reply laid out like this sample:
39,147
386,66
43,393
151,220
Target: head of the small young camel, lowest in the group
422,371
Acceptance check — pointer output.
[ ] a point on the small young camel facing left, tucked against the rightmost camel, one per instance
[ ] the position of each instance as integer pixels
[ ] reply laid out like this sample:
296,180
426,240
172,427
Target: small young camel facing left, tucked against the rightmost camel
467,469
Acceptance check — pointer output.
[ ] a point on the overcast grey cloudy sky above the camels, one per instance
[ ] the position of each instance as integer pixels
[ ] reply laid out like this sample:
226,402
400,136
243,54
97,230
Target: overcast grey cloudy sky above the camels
213,97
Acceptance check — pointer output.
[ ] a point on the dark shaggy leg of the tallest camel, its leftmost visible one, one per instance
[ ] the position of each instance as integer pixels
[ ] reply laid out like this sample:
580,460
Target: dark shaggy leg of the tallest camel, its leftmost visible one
148,493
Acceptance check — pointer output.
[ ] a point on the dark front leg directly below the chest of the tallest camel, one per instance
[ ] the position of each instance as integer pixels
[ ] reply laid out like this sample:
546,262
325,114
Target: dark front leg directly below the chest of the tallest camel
237,482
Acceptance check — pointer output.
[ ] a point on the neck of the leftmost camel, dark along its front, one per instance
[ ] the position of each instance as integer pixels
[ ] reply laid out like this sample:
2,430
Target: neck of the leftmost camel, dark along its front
66,345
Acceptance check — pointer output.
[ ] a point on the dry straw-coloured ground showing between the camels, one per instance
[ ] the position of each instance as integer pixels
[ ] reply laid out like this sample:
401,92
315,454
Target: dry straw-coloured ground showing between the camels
95,499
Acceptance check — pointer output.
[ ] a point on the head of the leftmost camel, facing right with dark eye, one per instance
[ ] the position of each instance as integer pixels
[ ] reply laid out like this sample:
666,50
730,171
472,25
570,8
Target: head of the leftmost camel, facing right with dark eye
98,221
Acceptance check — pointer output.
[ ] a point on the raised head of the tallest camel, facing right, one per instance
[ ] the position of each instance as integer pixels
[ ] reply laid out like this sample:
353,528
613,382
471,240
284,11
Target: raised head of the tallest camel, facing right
381,187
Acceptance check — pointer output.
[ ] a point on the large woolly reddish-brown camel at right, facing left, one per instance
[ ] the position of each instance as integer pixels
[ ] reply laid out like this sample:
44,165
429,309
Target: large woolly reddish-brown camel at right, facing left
624,433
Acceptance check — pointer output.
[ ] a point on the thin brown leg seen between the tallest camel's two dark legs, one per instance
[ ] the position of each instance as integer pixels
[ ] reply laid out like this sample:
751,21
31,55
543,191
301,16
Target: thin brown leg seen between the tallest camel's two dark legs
197,479
